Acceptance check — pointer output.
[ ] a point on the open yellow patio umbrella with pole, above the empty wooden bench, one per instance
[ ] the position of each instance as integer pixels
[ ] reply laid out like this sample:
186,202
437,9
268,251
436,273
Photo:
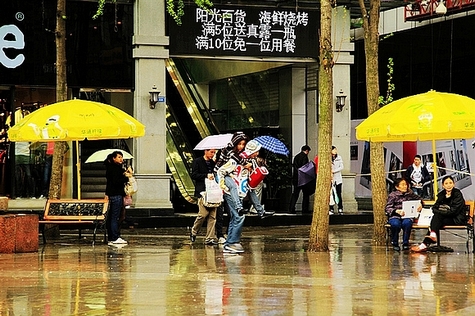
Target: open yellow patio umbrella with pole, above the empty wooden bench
76,120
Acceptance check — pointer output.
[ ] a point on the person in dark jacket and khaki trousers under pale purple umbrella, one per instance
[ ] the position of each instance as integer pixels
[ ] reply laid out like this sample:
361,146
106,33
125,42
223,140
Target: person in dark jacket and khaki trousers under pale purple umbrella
202,169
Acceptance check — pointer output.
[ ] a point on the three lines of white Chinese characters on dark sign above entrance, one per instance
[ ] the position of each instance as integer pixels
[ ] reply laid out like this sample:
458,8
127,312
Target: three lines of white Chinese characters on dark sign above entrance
231,30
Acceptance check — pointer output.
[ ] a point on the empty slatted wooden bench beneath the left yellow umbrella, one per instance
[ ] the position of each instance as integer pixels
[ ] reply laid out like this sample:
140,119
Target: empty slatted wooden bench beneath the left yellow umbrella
75,213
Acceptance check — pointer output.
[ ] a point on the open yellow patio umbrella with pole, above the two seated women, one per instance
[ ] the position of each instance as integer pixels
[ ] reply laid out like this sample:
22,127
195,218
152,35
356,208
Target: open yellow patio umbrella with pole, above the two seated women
427,116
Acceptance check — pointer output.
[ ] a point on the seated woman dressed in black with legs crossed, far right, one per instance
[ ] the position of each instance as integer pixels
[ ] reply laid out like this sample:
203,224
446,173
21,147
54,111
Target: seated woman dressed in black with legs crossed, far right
449,209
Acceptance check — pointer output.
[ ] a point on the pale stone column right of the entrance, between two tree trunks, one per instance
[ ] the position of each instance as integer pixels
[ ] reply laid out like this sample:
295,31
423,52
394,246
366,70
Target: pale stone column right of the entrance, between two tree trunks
342,120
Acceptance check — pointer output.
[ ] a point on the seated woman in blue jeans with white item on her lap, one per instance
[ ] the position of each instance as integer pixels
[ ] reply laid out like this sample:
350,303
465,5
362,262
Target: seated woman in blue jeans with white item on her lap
395,213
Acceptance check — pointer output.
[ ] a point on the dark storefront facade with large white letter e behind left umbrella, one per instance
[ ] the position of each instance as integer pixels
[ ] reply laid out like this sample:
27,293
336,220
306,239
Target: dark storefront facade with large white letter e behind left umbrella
98,59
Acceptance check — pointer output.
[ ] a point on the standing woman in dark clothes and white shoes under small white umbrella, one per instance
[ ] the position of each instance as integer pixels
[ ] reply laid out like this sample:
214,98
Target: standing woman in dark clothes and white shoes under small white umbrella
116,180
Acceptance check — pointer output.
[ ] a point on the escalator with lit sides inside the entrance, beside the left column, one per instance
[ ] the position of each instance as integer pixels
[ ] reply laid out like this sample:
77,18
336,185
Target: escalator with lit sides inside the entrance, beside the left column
188,121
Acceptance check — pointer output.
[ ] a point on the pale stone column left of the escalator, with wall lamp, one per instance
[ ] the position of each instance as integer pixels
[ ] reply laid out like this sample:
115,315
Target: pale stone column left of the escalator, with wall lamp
150,53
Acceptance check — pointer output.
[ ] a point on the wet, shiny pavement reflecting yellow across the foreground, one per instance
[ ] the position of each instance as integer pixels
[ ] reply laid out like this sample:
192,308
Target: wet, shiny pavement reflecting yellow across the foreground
161,273
